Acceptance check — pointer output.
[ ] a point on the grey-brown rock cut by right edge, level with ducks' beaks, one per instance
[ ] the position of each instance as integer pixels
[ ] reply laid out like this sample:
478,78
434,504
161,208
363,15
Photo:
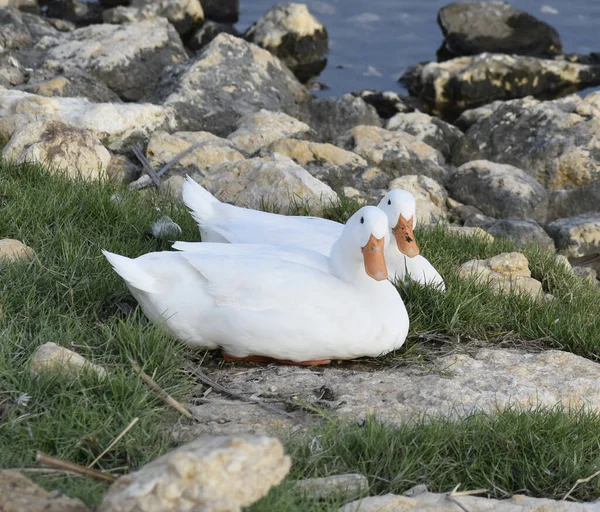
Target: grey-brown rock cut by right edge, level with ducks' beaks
576,236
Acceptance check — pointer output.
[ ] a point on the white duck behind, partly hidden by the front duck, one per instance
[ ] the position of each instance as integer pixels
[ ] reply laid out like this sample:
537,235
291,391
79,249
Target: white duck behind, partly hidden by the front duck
222,222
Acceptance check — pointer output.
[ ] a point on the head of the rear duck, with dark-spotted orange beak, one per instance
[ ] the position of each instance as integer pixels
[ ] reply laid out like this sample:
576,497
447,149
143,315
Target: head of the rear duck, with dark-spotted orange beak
400,208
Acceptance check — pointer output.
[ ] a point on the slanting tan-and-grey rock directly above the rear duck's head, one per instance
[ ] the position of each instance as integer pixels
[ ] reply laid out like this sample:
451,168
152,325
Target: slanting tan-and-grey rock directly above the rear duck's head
397,153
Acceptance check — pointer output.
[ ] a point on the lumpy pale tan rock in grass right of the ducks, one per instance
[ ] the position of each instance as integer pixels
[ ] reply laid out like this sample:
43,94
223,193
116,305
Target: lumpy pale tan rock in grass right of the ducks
504,272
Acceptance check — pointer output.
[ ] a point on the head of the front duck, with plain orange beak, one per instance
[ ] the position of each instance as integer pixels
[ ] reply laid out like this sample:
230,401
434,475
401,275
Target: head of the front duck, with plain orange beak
367,230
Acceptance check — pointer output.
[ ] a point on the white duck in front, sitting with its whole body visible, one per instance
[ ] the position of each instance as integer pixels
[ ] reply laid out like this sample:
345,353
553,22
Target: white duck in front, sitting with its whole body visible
259,302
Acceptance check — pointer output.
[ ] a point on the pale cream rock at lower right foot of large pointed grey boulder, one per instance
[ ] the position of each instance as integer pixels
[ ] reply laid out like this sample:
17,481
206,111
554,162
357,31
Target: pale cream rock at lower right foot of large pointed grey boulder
258,130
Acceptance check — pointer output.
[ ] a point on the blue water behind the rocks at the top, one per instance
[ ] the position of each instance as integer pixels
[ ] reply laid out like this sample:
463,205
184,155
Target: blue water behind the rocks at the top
372,42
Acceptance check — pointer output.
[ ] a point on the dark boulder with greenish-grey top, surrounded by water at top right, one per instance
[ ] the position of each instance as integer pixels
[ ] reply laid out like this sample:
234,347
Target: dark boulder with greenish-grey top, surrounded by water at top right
495,27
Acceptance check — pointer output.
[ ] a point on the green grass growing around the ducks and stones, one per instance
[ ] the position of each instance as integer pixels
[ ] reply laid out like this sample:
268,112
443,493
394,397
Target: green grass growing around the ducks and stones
69,295
